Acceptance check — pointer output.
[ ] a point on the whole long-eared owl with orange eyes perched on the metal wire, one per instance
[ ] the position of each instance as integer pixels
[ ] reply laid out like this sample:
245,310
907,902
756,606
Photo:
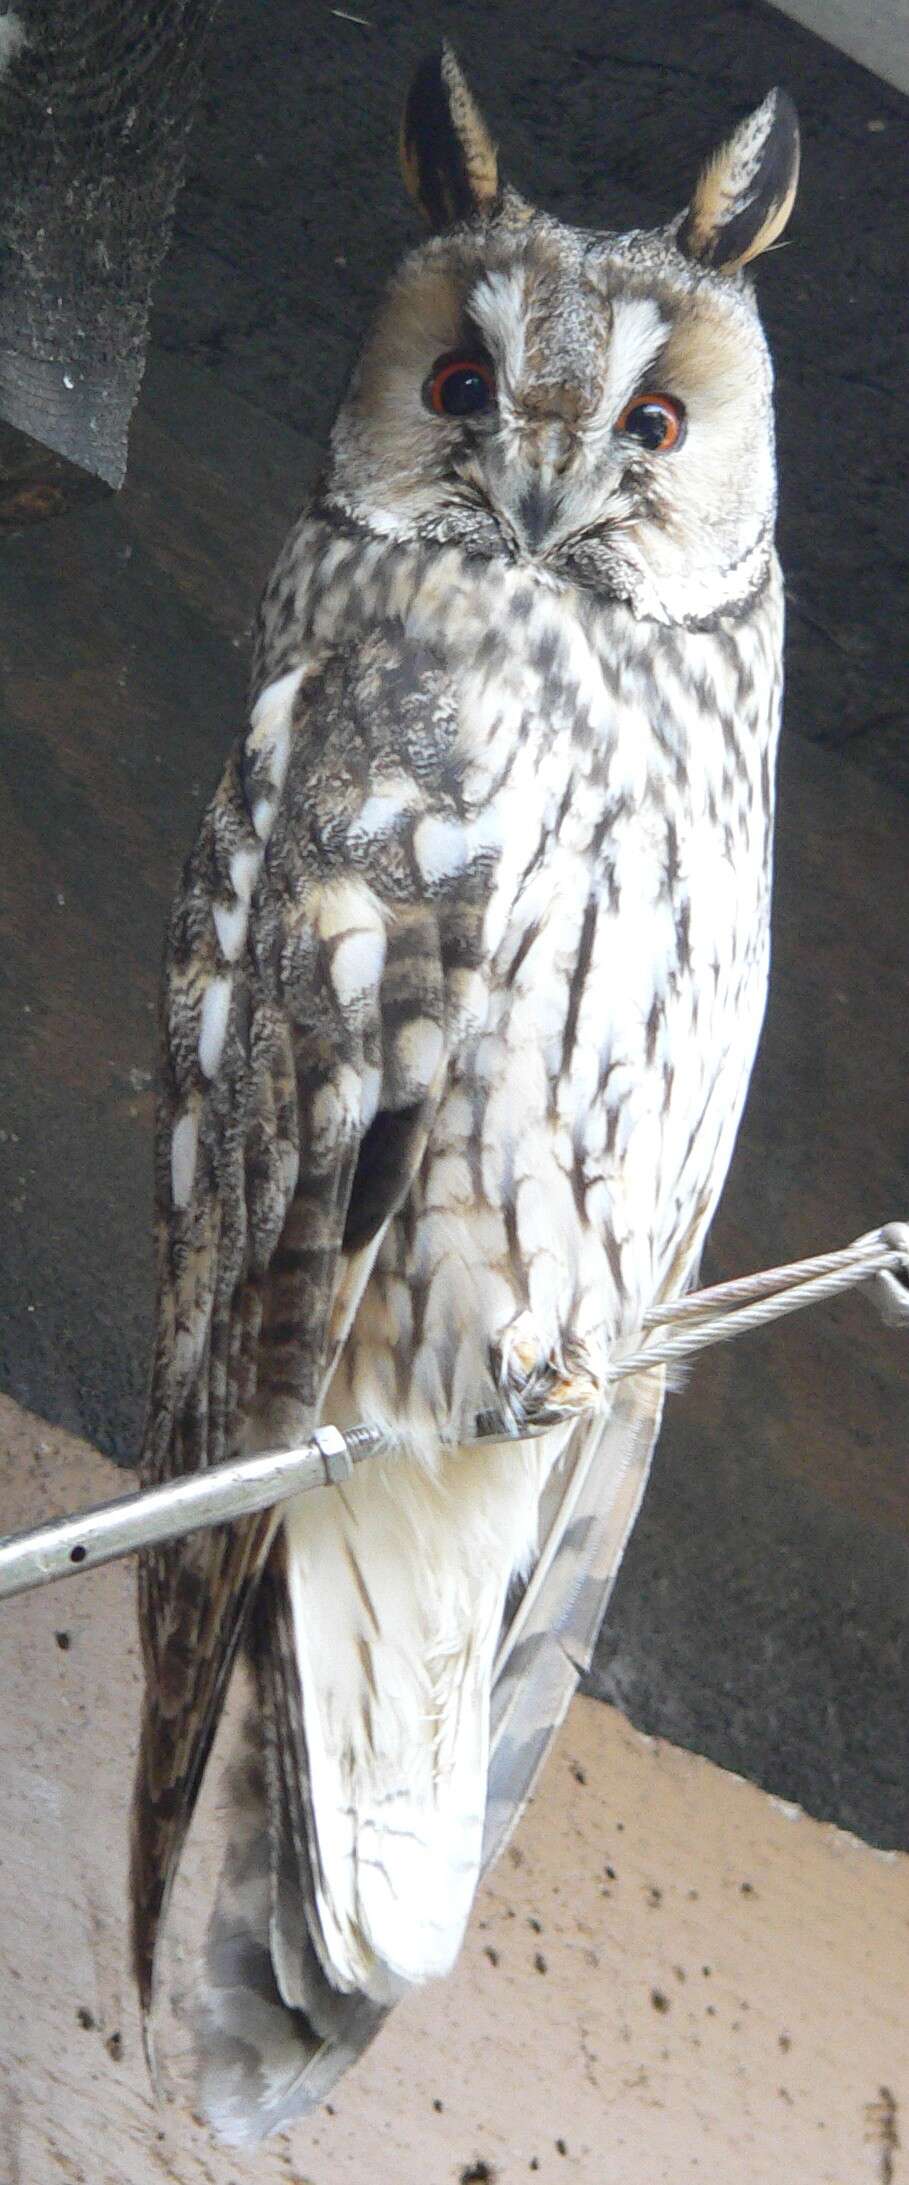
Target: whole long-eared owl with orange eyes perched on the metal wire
464,984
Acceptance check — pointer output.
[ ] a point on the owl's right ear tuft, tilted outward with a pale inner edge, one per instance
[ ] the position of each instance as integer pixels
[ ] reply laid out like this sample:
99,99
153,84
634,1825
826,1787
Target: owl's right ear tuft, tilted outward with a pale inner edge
746,193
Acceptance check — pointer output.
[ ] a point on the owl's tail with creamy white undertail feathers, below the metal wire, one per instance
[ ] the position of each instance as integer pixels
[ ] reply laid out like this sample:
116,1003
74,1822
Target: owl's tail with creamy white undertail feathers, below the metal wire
322,1920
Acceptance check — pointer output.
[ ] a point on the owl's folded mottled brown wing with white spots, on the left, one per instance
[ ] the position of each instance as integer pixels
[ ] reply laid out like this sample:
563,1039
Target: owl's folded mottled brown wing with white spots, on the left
309,995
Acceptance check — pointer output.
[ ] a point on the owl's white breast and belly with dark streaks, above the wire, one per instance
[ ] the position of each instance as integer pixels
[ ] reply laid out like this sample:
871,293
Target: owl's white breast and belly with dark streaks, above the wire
589,1120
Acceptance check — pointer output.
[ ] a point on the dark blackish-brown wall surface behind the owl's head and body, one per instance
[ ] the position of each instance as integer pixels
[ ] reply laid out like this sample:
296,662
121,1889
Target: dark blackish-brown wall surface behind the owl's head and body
762,1614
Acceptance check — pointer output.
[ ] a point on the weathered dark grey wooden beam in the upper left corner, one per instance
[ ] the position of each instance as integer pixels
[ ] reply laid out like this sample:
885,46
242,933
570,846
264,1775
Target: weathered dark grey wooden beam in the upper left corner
95,108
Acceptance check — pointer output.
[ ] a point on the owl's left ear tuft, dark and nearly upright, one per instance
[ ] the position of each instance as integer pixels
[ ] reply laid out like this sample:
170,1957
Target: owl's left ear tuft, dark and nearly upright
447,152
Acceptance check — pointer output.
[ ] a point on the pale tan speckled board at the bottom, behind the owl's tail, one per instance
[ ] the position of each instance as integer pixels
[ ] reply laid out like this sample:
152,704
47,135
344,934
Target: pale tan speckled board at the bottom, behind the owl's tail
670,1976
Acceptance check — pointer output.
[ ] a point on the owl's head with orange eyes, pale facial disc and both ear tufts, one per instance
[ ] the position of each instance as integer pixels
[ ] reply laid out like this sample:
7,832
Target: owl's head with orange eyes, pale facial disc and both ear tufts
585,403
